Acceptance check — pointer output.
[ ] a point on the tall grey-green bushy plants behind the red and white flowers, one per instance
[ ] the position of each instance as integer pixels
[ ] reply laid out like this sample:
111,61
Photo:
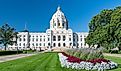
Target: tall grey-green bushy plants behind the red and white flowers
85,53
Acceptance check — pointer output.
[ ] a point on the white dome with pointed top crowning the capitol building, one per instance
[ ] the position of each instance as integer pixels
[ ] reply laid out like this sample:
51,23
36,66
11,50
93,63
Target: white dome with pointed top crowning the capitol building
58,20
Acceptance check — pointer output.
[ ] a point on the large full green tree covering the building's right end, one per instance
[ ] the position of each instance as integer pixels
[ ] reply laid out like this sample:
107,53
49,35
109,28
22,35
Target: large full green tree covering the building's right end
105,29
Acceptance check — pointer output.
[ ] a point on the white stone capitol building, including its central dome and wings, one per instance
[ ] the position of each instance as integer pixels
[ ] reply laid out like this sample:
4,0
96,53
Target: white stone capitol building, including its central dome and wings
57,36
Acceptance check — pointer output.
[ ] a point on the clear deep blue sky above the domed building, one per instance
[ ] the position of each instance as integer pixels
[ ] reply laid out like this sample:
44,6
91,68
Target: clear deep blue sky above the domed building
37,13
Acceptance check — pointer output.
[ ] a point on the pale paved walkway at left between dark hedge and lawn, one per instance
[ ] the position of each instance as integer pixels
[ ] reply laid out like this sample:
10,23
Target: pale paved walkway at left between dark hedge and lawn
13,57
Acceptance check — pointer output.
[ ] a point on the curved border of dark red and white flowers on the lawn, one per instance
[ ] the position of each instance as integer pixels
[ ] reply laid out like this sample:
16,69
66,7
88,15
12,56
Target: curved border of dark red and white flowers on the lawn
76,63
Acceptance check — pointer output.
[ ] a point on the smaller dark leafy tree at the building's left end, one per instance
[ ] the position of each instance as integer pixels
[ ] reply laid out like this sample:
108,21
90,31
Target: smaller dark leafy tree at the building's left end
7,34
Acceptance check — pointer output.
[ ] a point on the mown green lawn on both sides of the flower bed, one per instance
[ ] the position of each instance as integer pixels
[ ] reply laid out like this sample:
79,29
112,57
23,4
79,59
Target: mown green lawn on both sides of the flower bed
42,62
